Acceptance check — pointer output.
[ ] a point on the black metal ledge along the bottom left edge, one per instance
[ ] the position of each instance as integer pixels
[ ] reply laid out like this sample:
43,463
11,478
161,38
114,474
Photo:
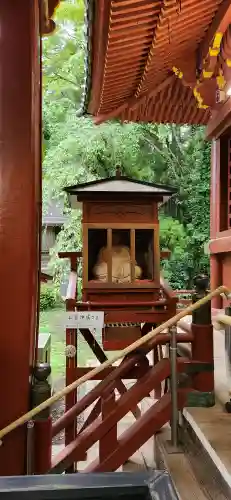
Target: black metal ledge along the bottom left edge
105,486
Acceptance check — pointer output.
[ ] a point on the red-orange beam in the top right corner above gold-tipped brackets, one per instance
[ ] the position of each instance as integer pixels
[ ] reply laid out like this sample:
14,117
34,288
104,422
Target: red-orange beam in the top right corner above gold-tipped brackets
219,25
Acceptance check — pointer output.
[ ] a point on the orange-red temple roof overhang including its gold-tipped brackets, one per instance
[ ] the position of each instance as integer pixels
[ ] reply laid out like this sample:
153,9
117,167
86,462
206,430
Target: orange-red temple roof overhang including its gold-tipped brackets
162,61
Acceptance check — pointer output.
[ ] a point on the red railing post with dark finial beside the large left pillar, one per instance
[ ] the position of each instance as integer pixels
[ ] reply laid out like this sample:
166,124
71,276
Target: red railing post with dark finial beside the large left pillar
42,431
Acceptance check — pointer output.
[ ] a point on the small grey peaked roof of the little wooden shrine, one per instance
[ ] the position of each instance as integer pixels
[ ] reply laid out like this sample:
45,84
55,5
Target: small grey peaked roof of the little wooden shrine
121,184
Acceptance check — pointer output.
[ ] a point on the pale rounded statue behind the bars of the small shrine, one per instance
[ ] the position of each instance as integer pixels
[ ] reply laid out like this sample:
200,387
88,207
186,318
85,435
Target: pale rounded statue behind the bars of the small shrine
121,263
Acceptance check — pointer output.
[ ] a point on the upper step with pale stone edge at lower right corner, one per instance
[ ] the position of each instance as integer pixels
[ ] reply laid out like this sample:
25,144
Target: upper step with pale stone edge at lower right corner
206,437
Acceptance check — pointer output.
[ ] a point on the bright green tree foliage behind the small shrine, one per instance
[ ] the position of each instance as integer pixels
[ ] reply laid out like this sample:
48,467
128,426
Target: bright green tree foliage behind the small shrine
75,150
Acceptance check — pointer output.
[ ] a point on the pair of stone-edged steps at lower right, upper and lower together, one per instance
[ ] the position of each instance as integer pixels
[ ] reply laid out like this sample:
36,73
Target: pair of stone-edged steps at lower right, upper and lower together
202,467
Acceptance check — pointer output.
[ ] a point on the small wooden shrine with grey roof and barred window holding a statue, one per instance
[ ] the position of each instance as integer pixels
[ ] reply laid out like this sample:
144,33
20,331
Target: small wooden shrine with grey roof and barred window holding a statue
121,254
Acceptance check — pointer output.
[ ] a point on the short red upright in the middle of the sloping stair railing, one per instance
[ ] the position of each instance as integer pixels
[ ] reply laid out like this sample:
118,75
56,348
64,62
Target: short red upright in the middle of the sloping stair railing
108,442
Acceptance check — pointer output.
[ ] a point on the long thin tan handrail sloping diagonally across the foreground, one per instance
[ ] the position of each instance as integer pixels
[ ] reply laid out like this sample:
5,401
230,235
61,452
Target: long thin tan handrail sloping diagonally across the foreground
128,350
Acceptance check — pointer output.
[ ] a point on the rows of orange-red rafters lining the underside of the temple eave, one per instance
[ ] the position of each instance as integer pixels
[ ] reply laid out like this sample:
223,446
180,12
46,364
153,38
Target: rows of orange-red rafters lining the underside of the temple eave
137,58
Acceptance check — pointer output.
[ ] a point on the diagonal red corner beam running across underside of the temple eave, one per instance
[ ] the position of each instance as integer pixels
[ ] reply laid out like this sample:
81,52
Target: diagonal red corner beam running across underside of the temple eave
133,102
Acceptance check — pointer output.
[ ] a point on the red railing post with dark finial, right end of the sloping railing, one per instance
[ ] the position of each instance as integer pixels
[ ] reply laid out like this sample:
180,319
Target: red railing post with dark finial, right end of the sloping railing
202,348
